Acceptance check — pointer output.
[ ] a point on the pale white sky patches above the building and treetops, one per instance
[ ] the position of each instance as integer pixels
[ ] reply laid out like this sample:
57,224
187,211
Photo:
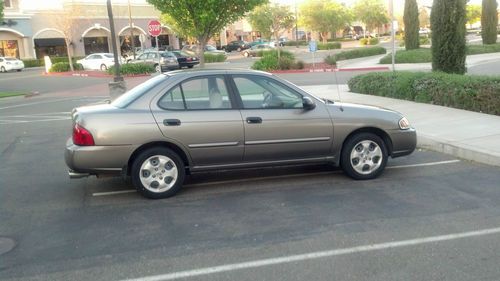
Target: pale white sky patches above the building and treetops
54,4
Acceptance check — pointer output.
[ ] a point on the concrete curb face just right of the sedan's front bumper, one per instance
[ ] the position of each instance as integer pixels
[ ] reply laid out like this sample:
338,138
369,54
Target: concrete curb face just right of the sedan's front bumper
460,151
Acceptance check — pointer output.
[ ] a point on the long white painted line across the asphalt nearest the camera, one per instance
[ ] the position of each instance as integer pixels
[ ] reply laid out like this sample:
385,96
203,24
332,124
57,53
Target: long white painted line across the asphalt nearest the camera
316,255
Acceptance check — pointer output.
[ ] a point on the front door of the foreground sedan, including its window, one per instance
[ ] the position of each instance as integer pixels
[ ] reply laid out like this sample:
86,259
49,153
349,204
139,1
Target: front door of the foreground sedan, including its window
277,127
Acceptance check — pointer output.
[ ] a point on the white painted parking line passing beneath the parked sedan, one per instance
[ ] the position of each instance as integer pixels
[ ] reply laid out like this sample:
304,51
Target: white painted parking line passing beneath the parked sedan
278,177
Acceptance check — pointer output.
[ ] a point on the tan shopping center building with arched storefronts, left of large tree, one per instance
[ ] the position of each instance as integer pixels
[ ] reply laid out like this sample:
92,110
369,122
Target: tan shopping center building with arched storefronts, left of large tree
33,33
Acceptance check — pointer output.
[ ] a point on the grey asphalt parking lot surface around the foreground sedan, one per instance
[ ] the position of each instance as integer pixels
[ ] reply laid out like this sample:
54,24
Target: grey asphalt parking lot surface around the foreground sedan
428,217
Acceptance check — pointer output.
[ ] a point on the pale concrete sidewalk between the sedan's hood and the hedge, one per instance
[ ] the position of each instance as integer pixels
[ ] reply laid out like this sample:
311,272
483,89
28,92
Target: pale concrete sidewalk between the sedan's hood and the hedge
464,134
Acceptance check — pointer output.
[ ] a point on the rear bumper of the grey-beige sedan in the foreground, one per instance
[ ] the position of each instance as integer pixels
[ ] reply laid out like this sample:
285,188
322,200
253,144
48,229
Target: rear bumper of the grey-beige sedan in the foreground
94,160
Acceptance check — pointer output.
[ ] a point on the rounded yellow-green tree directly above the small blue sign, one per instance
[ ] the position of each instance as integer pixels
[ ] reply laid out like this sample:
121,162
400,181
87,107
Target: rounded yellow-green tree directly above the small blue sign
324,16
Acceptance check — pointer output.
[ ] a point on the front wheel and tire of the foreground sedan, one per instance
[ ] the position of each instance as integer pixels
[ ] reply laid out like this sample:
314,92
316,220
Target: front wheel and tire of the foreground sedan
364,156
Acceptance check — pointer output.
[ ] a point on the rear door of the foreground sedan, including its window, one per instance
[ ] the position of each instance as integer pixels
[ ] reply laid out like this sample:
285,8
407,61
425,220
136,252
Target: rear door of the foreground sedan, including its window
199,114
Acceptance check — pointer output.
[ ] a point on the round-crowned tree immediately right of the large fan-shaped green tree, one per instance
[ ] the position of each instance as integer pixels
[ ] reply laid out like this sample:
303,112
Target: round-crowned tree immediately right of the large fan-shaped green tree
271,20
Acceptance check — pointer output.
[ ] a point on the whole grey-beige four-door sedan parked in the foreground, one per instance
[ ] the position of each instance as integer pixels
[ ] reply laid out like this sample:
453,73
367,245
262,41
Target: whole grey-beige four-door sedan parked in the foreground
188,121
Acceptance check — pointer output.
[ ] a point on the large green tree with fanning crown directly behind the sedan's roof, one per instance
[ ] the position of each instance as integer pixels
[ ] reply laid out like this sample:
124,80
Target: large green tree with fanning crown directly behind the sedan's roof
202,19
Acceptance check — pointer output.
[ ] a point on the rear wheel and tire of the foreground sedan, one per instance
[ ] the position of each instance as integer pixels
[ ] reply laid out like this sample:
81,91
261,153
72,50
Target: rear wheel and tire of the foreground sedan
158,173
